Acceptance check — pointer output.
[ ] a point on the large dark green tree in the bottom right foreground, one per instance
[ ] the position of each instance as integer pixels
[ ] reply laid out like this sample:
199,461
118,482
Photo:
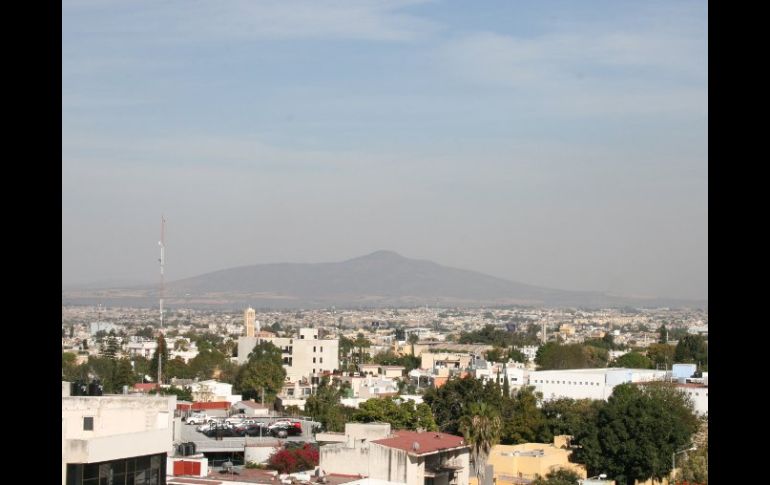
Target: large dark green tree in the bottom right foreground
636,432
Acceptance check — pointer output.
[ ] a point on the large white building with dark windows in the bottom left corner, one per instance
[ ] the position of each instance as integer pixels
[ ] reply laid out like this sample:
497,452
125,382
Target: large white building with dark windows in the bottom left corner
116,439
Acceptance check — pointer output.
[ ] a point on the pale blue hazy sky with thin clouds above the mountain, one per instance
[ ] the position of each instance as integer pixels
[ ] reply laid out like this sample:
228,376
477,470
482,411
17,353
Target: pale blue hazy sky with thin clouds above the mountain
561,144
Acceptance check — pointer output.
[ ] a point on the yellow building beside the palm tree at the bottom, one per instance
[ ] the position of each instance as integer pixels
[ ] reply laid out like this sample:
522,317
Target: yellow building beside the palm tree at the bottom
514,463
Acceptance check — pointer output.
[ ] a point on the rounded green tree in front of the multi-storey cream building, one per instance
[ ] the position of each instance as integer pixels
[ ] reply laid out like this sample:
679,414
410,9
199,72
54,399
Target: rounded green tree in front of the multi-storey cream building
263,374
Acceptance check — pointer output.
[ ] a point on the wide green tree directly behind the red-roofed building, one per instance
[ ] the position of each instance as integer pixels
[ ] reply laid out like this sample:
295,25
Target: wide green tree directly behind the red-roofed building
405,415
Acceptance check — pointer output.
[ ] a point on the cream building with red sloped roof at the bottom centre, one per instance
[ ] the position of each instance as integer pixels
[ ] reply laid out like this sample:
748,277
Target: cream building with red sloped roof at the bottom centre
415,458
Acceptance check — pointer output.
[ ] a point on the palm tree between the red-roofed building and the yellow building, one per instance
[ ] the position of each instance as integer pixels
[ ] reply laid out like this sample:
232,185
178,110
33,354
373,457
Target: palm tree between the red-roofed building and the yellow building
481,427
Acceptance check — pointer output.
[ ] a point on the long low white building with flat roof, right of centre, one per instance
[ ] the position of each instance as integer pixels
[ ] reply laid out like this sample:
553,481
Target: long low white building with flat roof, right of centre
588,383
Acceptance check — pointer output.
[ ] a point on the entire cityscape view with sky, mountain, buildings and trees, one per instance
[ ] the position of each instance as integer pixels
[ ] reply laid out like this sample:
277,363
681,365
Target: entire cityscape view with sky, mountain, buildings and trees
370,242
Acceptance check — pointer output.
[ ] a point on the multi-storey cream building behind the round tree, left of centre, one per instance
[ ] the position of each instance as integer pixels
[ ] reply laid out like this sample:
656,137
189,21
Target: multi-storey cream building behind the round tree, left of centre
303,356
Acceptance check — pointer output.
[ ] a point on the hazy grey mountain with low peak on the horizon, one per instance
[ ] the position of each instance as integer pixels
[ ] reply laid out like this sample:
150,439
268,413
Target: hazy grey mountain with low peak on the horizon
383,278
